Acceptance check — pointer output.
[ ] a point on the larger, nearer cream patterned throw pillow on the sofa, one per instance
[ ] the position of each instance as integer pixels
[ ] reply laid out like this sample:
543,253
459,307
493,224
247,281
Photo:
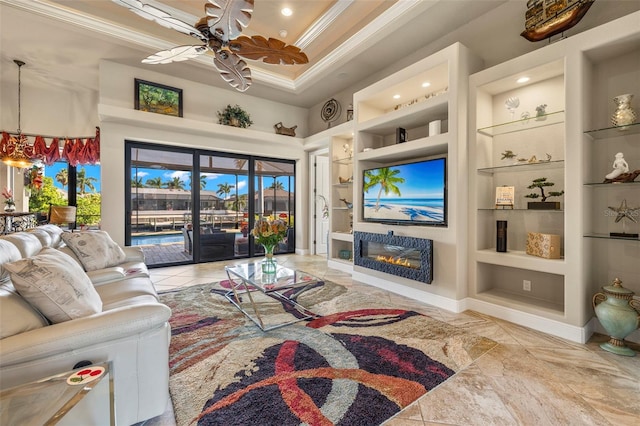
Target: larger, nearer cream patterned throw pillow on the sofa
55,285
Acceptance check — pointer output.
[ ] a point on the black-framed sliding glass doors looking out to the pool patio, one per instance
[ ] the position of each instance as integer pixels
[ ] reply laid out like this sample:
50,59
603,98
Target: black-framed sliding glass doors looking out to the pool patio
176,218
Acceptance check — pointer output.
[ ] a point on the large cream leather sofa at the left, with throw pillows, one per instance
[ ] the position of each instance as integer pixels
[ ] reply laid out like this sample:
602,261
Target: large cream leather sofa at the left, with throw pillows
131,330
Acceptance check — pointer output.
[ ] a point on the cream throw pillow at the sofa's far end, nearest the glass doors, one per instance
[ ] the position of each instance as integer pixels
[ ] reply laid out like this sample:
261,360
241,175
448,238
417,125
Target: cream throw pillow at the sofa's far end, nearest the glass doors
95,249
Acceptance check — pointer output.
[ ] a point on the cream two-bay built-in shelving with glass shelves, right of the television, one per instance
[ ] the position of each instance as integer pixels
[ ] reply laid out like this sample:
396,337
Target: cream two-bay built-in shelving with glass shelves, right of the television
572,146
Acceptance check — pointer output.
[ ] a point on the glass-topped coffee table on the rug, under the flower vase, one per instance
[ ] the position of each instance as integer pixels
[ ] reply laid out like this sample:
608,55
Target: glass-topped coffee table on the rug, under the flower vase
248,278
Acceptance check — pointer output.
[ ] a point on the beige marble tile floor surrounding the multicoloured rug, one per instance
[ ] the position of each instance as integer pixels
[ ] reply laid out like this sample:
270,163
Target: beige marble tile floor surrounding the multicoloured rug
530,378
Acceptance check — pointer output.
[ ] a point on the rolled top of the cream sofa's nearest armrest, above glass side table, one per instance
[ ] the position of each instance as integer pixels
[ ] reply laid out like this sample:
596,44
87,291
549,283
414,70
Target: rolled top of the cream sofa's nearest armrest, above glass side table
72,336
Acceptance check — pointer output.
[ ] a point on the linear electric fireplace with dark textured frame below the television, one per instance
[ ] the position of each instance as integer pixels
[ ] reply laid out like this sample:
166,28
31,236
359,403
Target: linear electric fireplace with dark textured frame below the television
406,257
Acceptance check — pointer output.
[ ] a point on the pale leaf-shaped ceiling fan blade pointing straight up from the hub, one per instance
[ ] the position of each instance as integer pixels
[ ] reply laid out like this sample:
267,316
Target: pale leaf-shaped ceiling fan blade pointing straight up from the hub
228,18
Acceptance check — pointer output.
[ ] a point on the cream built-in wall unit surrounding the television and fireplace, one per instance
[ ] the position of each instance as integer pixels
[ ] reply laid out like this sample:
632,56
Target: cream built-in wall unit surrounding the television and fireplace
433,89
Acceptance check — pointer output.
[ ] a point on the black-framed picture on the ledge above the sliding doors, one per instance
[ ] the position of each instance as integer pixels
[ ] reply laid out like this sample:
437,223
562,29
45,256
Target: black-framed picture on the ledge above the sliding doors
158,98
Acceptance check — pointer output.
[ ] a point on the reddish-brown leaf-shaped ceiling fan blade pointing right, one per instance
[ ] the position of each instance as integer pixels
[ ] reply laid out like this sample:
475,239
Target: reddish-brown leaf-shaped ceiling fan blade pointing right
271,51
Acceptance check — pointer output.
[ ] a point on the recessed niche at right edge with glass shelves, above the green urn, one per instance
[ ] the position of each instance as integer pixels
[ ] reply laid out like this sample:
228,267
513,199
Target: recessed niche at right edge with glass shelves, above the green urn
611,68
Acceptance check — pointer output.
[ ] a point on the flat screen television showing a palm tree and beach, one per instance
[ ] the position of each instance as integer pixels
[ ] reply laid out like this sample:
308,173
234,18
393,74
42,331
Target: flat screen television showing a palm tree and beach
409,193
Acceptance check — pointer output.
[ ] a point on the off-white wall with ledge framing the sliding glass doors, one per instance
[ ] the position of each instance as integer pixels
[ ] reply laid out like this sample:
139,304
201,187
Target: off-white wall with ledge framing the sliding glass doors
197,129
